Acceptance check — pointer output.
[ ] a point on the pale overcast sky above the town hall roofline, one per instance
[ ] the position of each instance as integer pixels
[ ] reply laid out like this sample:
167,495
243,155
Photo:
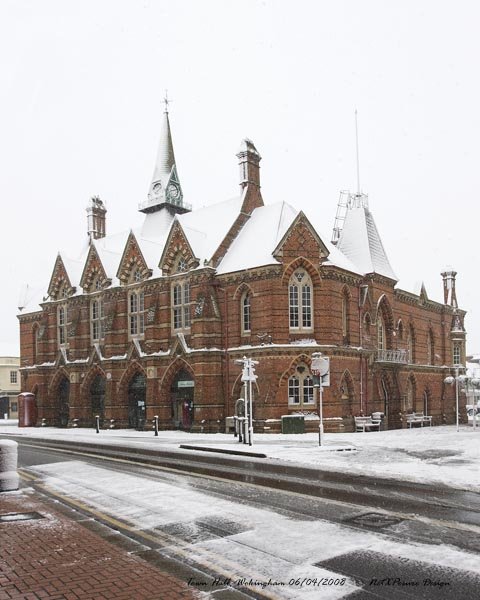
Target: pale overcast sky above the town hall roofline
81,107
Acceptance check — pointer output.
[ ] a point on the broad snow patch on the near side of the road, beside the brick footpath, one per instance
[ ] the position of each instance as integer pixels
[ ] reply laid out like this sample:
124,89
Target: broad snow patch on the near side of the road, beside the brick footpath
266,545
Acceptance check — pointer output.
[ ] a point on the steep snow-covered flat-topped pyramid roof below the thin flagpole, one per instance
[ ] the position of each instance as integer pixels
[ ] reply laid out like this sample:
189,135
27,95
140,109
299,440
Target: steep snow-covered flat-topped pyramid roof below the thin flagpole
360,242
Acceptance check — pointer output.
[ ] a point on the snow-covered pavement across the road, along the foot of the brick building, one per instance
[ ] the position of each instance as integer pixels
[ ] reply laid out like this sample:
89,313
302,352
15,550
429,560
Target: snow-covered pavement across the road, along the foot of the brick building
427,455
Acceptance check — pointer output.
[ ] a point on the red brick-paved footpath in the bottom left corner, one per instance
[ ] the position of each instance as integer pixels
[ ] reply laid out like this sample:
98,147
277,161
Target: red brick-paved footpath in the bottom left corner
56,558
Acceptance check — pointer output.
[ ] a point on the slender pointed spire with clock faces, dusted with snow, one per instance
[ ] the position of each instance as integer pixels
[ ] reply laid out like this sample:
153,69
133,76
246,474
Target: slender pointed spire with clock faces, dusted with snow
165,188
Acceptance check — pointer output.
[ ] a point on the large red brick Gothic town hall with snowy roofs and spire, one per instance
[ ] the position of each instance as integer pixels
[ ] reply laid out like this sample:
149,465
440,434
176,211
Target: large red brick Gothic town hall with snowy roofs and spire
150,321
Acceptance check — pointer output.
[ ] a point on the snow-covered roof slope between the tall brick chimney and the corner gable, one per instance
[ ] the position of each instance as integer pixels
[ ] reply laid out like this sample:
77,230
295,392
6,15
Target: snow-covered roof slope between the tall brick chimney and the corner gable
258,238
